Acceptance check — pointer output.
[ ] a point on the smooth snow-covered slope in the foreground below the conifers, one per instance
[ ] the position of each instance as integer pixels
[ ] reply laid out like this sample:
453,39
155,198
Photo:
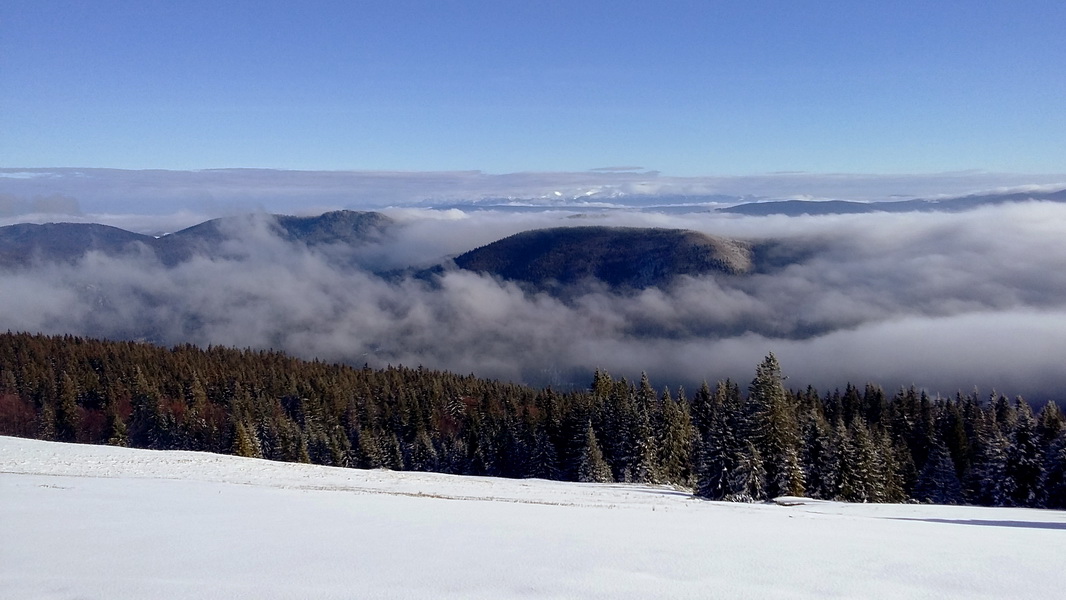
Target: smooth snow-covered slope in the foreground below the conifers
87,523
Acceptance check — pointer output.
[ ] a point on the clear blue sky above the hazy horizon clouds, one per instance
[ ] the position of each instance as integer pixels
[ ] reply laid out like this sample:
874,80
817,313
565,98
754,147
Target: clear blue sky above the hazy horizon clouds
684,88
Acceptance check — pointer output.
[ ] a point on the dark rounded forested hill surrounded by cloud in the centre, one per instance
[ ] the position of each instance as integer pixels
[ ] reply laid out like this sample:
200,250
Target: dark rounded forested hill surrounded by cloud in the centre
621,257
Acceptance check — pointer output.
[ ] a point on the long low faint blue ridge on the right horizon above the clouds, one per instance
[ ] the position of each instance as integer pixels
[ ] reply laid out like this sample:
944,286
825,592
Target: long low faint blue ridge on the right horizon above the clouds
797,208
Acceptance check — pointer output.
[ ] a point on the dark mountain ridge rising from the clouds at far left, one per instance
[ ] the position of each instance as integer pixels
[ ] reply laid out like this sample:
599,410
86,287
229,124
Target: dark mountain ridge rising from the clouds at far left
23,245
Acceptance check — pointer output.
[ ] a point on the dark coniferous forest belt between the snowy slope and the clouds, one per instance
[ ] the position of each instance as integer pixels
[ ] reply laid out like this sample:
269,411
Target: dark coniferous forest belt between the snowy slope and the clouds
728,442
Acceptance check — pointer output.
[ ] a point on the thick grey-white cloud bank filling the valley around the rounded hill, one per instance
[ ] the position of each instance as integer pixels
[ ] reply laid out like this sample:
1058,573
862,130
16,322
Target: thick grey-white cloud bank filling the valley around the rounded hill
945,302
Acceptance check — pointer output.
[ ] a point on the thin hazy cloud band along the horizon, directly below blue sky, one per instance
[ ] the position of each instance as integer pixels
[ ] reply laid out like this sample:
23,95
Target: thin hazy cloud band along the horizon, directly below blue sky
231,191
